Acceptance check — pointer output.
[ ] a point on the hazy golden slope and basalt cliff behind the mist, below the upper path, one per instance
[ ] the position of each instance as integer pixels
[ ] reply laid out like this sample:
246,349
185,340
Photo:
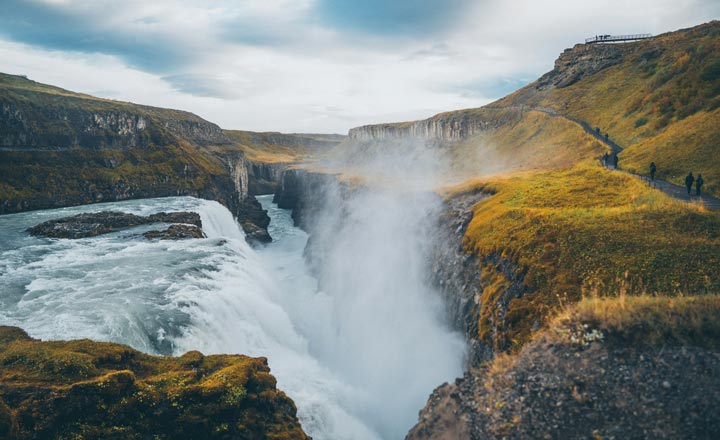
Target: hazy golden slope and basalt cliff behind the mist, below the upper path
501,140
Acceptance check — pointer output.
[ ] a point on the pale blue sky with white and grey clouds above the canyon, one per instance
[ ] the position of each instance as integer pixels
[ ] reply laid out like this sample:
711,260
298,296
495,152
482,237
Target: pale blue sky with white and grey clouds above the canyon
312,66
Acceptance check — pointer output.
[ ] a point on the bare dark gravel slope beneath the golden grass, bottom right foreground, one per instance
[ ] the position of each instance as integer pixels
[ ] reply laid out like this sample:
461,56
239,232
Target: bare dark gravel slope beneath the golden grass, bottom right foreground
602,390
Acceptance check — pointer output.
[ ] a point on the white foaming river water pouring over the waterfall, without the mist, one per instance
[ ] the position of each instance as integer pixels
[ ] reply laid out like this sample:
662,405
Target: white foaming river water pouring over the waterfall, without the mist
215,295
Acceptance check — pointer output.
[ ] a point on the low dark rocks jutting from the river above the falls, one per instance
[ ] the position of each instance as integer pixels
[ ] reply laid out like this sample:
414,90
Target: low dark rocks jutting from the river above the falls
90,225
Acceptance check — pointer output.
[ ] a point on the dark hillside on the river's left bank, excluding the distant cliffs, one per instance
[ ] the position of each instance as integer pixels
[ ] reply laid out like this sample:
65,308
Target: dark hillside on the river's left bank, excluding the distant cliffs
61,148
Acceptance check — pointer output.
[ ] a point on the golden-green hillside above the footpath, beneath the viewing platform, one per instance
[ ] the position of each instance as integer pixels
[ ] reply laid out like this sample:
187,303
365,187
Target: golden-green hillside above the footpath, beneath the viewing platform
658,98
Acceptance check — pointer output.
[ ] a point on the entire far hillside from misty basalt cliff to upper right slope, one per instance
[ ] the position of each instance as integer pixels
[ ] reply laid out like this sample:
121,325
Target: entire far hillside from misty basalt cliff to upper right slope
658,98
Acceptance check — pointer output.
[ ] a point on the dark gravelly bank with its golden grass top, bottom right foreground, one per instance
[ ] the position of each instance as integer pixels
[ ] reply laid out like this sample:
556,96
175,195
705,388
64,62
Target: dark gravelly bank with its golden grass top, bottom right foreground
641,369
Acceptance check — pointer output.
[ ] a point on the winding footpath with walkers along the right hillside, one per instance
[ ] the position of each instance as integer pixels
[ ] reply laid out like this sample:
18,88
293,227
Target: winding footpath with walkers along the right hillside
676,191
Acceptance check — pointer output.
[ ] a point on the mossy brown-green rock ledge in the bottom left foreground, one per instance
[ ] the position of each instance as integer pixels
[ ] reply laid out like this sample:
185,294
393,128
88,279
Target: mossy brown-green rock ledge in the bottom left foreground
94,390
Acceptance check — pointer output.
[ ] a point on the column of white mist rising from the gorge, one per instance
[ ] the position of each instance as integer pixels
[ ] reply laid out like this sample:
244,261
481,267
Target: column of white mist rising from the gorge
370,248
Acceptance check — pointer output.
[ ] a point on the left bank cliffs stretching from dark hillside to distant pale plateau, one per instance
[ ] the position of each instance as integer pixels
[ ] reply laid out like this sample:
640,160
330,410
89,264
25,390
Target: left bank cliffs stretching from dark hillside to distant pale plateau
59,148
